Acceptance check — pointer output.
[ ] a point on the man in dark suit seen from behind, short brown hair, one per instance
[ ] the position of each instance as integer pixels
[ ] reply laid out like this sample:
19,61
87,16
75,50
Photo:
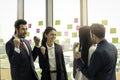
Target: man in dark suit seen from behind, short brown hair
103,61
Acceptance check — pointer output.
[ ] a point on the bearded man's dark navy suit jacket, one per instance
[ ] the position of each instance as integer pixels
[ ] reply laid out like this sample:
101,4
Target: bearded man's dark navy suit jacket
21,64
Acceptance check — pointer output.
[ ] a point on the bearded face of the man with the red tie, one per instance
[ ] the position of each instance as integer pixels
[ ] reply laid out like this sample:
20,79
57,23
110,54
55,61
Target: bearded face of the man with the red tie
22,31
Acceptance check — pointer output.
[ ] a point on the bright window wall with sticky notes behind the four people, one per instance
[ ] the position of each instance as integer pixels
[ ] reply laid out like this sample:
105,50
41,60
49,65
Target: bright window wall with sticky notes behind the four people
66,16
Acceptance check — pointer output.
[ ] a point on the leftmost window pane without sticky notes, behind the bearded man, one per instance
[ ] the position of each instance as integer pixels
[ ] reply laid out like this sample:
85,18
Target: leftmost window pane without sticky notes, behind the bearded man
8,14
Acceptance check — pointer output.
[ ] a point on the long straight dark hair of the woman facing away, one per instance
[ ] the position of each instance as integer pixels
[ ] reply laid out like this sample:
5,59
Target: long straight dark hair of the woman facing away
85,42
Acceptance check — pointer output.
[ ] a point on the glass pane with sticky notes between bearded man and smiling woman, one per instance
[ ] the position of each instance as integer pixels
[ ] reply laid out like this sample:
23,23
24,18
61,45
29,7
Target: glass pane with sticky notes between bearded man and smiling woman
35,14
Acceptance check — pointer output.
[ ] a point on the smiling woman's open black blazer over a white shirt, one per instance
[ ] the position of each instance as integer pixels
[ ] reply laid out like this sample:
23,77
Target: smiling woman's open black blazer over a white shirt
60,64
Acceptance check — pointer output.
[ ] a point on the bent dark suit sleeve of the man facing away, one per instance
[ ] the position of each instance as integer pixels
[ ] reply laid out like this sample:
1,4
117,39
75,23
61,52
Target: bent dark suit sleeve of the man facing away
94,66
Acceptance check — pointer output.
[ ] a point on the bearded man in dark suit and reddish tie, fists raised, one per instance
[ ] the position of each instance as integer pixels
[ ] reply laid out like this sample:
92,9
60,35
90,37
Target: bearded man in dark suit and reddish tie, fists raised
19,53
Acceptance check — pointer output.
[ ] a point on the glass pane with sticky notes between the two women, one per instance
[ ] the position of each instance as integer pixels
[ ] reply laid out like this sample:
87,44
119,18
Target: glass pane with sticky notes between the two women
66,20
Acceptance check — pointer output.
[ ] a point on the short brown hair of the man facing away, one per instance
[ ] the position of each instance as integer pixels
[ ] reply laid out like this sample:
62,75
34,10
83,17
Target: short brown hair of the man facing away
98,30
